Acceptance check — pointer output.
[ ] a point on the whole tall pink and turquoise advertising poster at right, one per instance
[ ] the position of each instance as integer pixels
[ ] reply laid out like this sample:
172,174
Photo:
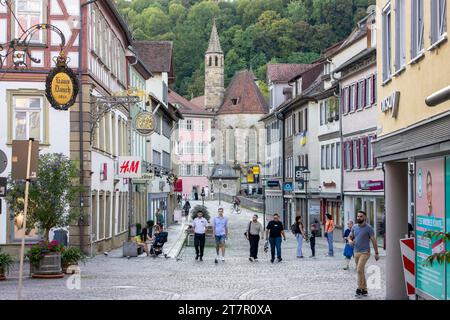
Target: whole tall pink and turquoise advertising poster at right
430,216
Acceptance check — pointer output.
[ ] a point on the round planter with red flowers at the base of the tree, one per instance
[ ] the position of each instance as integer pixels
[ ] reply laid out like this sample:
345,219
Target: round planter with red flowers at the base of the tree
45,259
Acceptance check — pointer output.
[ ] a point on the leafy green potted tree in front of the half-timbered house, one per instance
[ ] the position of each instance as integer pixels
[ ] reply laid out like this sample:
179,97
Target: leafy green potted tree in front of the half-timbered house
50,196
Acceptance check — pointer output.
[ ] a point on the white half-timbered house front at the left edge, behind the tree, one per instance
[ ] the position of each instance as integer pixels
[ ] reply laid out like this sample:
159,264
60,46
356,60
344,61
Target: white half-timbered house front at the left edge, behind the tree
27,112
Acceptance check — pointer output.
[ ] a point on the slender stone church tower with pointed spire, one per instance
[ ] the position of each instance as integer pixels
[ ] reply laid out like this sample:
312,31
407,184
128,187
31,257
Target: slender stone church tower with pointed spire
214,72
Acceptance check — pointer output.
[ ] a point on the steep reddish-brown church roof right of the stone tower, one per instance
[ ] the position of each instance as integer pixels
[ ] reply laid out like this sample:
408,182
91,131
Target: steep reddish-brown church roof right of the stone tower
243,96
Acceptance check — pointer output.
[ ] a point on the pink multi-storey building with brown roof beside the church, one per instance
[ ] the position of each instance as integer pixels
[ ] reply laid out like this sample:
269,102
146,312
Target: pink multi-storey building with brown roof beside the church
193,146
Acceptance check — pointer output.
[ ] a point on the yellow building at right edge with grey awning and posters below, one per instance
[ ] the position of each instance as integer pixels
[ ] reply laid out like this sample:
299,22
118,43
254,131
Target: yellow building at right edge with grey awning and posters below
413,140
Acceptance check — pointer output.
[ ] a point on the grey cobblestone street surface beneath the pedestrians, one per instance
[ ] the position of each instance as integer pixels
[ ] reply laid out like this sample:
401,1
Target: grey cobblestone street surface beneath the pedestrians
114,277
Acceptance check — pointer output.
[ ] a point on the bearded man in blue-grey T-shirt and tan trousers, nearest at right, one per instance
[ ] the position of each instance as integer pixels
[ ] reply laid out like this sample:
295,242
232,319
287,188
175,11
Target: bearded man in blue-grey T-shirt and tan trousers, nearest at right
360,236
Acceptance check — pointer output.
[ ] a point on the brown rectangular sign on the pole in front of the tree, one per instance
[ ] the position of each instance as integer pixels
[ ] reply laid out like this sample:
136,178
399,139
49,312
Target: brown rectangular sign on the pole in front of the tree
20,157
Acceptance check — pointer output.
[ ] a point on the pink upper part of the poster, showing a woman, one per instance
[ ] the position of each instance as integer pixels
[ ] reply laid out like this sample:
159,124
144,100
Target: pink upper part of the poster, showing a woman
430,188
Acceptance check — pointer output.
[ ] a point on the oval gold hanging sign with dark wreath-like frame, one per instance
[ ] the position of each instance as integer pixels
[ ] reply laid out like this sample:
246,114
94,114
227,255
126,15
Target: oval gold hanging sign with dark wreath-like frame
61,86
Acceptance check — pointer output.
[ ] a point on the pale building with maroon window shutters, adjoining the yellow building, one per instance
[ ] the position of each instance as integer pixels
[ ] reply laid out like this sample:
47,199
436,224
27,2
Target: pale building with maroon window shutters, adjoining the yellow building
363,178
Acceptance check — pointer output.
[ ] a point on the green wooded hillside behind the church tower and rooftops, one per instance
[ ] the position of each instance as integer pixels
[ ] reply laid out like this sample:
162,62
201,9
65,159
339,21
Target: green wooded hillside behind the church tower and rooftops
252,32
